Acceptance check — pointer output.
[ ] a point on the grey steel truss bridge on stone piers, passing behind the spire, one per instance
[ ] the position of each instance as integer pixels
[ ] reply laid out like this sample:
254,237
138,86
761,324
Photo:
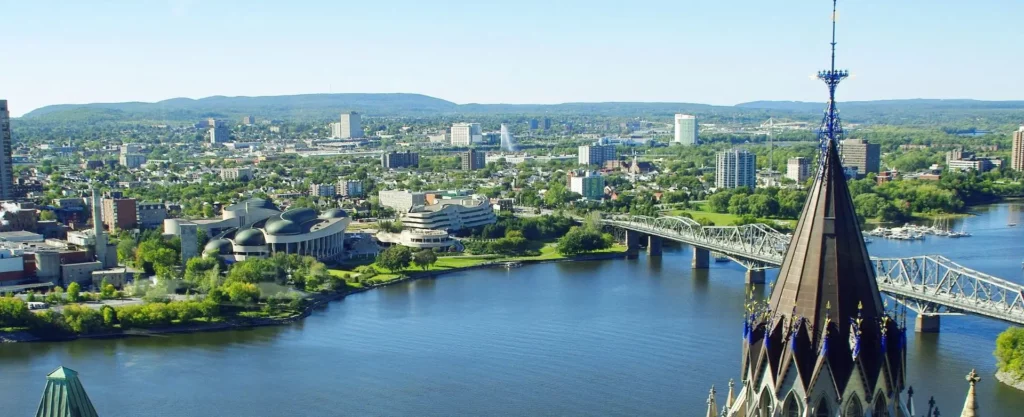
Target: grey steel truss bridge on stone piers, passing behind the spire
932,285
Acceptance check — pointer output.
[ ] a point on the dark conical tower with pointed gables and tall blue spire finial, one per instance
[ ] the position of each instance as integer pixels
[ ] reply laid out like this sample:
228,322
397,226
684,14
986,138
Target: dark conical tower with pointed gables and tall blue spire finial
824,345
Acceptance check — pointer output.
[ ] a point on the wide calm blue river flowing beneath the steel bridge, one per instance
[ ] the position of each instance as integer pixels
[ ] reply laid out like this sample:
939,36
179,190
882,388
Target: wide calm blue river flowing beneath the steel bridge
646,337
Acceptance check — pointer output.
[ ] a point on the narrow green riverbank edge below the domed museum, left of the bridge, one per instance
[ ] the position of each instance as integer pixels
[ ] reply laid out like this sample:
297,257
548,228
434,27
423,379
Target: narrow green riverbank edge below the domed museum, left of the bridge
314,303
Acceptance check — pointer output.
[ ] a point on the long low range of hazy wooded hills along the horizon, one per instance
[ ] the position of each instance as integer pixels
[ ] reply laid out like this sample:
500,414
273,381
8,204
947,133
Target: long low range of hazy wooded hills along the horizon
318,108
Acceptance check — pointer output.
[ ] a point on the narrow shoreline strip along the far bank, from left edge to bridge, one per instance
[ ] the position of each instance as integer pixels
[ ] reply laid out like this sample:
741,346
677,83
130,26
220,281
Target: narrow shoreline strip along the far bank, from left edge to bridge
316,303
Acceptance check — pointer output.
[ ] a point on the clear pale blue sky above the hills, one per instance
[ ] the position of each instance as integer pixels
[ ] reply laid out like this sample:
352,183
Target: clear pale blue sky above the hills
539,52
